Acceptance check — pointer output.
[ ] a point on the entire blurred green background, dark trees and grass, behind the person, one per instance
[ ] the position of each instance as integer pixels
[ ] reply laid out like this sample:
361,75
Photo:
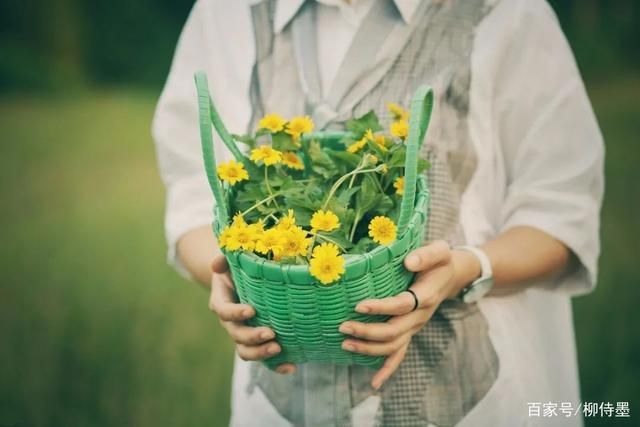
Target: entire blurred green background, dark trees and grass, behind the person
95,329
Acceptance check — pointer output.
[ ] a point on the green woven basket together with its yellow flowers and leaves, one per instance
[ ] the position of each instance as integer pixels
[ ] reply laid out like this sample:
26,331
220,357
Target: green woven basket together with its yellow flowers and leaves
313,222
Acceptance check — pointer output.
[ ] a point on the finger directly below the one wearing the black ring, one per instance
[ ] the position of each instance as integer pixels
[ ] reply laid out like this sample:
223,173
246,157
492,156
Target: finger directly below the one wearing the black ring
387,331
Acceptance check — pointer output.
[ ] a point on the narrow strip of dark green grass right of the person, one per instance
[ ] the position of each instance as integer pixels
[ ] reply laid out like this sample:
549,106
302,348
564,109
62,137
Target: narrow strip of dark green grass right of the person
606,321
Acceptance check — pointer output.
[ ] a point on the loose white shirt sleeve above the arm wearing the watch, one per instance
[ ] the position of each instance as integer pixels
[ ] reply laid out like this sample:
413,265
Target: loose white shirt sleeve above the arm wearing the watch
551,144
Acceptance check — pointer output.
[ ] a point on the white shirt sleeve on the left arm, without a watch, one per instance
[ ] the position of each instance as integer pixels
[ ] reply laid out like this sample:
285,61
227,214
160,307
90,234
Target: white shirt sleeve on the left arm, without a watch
189,202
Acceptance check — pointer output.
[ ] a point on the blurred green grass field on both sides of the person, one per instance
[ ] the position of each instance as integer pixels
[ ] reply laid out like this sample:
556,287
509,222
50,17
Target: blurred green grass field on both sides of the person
97,331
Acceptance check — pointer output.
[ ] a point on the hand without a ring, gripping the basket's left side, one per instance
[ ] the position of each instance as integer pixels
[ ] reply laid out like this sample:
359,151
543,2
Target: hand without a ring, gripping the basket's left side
251,343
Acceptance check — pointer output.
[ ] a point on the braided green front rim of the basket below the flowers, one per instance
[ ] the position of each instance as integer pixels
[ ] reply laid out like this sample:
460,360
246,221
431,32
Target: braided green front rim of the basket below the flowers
355,264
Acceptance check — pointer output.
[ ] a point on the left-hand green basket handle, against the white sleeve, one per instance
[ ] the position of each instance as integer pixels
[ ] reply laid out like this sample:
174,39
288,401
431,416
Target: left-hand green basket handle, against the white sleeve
208,116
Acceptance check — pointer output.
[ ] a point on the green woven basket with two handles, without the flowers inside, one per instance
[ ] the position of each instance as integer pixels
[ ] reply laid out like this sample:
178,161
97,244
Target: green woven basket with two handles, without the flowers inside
304,314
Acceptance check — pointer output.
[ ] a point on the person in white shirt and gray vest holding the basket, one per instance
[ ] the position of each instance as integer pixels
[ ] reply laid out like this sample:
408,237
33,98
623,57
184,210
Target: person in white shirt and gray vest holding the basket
516,181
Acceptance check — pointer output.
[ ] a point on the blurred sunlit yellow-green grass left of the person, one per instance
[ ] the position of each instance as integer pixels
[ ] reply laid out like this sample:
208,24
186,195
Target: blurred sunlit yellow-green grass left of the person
96,329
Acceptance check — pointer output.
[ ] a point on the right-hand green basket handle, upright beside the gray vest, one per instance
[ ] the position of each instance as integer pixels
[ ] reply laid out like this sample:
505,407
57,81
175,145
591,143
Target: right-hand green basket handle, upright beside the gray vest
419,117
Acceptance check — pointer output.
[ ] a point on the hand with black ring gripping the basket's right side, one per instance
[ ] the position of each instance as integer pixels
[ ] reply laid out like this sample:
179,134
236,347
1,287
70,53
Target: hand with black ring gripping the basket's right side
441,273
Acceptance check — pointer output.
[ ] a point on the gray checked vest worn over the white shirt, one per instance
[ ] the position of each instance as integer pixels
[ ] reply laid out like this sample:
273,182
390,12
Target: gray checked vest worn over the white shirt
441,379
